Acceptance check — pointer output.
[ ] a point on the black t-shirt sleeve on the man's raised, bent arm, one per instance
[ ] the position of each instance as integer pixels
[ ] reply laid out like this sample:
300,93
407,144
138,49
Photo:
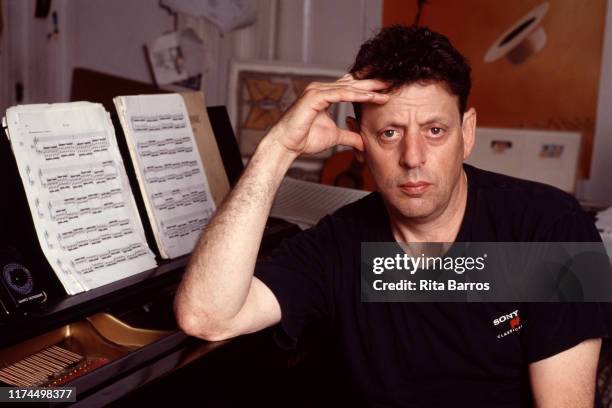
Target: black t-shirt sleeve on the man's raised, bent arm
298,275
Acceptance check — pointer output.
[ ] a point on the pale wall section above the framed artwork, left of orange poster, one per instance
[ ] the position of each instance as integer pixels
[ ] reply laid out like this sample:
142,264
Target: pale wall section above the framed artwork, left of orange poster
321,32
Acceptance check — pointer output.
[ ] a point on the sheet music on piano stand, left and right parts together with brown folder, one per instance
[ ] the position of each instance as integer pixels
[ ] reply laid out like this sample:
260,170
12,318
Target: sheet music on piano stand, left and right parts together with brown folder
80,199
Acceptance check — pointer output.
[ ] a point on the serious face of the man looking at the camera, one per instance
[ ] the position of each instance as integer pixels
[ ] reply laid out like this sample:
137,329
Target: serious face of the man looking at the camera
415,145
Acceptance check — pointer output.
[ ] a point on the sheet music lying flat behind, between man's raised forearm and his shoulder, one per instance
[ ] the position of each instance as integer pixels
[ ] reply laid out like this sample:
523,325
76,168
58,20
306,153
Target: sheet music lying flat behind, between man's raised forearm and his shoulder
305,203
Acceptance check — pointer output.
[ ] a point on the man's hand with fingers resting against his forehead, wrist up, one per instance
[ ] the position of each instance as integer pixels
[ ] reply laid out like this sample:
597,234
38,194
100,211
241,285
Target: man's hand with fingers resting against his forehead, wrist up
307,127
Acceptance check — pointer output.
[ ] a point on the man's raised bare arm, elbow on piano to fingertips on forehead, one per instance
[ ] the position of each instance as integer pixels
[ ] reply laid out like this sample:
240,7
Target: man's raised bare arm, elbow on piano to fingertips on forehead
218,297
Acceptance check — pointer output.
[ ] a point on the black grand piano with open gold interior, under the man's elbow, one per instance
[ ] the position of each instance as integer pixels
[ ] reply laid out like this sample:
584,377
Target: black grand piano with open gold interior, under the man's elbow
119,344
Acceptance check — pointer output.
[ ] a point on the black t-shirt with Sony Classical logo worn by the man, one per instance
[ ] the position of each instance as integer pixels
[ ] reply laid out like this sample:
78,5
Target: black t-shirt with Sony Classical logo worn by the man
434,354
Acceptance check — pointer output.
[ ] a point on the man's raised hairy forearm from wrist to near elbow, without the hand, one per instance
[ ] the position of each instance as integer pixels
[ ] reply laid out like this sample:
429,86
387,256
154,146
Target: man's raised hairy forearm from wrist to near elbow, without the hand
219,274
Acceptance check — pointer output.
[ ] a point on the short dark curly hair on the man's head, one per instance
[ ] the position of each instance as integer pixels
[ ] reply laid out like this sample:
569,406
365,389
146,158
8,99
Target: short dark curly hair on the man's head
402,55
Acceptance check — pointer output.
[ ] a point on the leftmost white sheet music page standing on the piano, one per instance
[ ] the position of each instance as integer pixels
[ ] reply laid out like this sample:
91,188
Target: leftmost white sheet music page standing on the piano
78,192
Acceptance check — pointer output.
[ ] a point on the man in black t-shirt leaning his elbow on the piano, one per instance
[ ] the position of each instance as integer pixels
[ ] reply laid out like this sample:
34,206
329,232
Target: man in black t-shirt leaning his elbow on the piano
409,87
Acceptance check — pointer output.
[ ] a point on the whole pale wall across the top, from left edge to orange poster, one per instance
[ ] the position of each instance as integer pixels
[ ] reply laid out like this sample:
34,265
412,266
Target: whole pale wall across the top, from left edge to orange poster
108,36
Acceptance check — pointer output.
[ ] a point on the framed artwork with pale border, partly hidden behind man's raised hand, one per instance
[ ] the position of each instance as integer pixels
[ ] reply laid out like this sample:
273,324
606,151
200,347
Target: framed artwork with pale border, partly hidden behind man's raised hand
261,91
